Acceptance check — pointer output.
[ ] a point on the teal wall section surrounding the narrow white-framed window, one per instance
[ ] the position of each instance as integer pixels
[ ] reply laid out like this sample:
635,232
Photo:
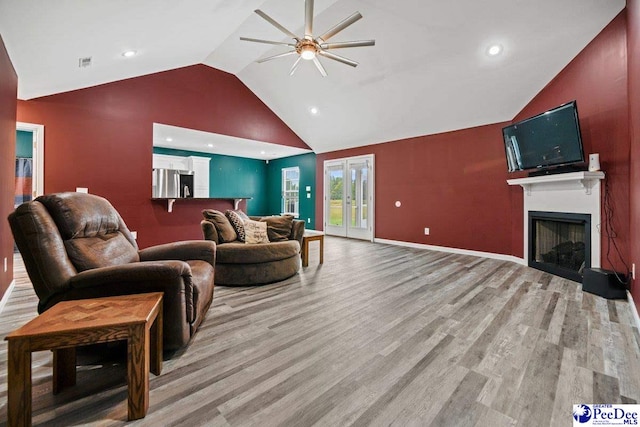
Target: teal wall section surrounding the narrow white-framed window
307,165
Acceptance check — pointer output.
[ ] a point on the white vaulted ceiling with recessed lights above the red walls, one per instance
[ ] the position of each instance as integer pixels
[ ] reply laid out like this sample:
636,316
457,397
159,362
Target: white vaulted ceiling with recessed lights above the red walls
428,72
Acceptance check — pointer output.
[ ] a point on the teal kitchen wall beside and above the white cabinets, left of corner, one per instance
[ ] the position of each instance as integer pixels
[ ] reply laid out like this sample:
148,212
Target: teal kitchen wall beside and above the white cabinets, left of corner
232,177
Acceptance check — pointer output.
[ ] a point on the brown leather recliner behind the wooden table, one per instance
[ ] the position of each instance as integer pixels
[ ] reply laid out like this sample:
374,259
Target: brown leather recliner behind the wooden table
76,246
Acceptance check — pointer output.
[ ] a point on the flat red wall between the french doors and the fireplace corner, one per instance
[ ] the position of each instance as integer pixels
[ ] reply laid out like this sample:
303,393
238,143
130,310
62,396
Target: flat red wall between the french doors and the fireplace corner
454,183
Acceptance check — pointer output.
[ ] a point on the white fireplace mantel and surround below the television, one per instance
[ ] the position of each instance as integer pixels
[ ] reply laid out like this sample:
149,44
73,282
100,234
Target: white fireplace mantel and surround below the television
573,192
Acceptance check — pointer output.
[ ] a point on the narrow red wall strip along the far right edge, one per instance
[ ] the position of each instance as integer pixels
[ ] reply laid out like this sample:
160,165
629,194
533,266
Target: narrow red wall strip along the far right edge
633,63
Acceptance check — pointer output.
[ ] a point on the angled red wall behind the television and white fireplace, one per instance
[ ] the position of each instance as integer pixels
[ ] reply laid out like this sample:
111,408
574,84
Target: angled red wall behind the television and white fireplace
597,79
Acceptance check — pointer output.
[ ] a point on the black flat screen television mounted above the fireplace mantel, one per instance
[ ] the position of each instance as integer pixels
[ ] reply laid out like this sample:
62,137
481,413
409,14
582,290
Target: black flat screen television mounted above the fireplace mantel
547,142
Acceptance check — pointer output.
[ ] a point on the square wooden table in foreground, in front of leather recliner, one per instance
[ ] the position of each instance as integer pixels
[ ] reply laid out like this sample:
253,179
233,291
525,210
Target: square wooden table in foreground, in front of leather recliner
69,324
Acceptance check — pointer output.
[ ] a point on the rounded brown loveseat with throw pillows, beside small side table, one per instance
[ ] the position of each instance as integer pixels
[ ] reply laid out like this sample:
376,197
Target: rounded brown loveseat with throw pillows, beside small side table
241,264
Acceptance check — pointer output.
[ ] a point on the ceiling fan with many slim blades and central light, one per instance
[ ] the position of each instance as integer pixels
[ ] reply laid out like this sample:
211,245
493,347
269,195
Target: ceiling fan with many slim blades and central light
308,47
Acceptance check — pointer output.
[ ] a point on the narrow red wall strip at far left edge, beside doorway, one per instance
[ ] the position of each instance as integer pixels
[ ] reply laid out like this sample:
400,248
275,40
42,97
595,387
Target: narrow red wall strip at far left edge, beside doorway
8,94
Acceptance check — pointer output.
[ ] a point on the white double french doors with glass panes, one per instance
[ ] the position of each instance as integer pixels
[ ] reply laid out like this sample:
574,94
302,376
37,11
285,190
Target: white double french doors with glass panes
349,197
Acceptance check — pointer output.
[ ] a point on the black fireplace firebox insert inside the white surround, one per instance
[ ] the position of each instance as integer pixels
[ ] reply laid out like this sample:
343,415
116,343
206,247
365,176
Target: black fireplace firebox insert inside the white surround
560,243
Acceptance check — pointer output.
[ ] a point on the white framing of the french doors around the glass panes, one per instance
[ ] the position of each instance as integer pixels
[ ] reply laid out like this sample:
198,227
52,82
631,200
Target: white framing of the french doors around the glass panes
370,159
